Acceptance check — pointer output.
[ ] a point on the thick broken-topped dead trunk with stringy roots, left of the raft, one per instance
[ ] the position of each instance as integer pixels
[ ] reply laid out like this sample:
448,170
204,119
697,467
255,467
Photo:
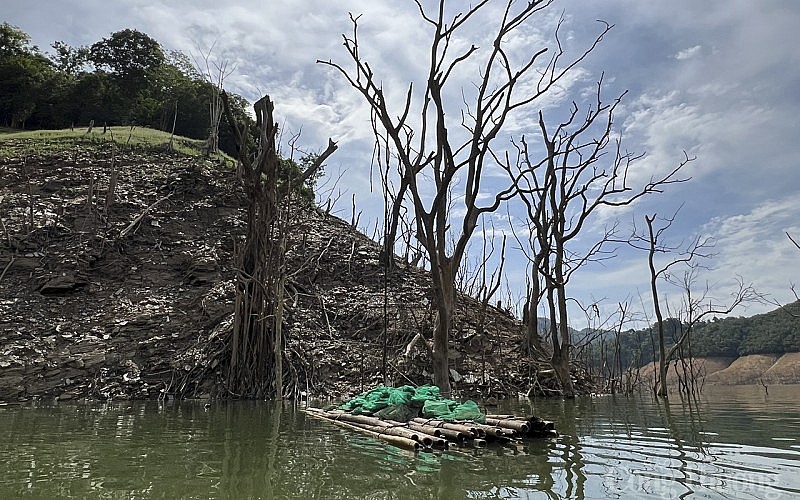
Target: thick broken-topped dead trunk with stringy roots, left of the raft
255,365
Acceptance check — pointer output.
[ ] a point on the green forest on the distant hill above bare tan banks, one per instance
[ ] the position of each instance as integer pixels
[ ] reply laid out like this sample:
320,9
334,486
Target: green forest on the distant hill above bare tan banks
775,332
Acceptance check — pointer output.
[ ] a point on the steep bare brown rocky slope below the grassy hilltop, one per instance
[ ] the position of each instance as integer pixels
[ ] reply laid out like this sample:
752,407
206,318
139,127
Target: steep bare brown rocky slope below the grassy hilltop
129,294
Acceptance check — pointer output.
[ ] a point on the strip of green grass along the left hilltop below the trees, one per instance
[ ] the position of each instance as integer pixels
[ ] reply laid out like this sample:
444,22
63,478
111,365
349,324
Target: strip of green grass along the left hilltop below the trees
135,138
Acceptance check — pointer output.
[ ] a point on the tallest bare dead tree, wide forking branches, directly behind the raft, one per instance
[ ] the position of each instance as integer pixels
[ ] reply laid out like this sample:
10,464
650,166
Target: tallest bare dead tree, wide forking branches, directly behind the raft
440,150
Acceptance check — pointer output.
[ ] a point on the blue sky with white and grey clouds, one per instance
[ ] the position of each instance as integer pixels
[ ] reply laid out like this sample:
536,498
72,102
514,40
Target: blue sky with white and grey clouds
716,80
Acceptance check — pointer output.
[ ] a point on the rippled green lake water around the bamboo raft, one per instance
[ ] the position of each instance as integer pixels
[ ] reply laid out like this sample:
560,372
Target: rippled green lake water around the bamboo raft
736,443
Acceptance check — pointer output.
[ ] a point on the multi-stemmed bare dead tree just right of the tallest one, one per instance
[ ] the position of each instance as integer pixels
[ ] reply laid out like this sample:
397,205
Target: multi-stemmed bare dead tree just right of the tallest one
562,191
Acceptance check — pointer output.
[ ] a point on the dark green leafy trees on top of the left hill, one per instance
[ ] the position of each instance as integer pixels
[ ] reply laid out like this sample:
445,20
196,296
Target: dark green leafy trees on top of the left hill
124,79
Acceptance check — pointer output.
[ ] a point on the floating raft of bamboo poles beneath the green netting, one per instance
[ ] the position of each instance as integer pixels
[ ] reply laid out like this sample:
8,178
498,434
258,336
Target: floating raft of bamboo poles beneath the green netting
424,434
